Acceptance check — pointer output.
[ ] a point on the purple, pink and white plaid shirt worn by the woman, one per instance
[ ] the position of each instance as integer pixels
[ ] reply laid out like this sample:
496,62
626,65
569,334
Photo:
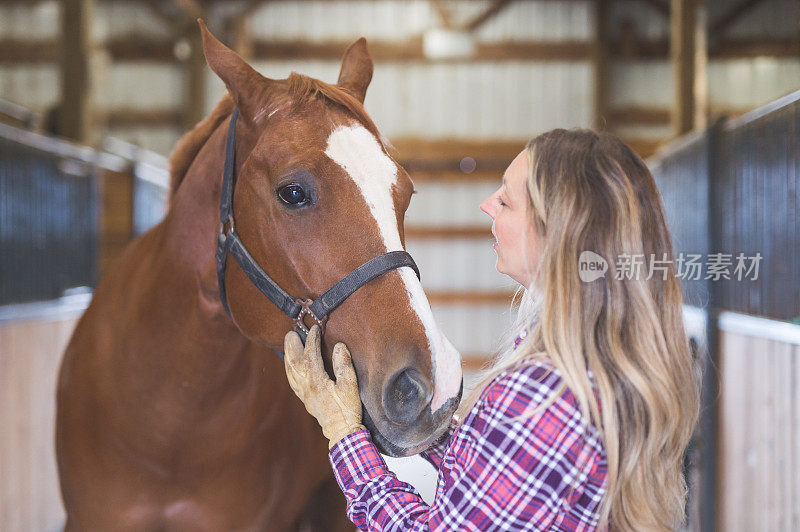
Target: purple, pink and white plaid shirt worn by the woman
495,472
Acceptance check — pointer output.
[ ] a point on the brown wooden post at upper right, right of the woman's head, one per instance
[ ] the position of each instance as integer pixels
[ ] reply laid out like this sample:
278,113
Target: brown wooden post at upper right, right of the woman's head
682,53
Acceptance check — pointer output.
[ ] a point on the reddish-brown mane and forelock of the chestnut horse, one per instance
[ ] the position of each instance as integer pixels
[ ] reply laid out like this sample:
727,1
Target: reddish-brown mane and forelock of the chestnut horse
301,88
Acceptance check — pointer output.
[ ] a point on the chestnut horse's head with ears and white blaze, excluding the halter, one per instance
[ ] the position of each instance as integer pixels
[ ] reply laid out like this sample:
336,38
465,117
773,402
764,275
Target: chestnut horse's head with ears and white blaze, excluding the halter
317,195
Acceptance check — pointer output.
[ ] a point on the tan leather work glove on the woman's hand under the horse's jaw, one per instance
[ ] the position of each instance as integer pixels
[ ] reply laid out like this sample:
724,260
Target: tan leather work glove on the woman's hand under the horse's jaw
337,406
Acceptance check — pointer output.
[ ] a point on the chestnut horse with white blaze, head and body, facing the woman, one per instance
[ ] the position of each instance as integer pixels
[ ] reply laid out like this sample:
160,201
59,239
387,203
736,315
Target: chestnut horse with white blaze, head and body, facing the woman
173,415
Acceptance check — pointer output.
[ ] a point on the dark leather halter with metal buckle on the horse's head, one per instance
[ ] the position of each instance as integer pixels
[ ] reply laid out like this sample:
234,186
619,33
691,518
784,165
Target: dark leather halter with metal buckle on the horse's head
296,308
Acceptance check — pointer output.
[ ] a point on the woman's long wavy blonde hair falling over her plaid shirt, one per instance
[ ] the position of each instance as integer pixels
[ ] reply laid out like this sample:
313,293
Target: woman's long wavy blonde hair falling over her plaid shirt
589,191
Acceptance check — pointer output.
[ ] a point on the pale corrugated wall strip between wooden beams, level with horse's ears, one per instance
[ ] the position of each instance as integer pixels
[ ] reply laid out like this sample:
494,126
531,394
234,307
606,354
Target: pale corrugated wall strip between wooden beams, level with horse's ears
508,100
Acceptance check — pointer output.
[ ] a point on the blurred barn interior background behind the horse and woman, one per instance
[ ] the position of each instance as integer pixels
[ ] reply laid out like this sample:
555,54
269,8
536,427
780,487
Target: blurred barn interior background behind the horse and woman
94,95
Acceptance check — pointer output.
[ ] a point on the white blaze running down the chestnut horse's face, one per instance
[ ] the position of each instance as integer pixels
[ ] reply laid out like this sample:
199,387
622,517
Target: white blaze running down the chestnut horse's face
357,151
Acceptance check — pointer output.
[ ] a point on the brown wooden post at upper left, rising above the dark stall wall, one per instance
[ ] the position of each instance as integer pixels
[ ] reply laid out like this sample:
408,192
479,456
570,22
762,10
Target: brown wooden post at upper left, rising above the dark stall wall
75,112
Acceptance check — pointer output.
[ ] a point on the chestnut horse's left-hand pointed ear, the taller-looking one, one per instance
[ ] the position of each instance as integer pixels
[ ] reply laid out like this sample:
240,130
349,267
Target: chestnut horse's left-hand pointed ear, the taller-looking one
244,84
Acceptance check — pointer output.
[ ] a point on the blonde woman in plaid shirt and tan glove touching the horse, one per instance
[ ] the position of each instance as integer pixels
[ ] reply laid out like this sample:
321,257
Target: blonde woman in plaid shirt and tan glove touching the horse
583,420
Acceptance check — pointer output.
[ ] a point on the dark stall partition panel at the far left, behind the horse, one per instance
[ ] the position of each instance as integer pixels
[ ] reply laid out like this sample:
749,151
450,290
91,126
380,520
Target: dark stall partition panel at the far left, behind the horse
48,216
